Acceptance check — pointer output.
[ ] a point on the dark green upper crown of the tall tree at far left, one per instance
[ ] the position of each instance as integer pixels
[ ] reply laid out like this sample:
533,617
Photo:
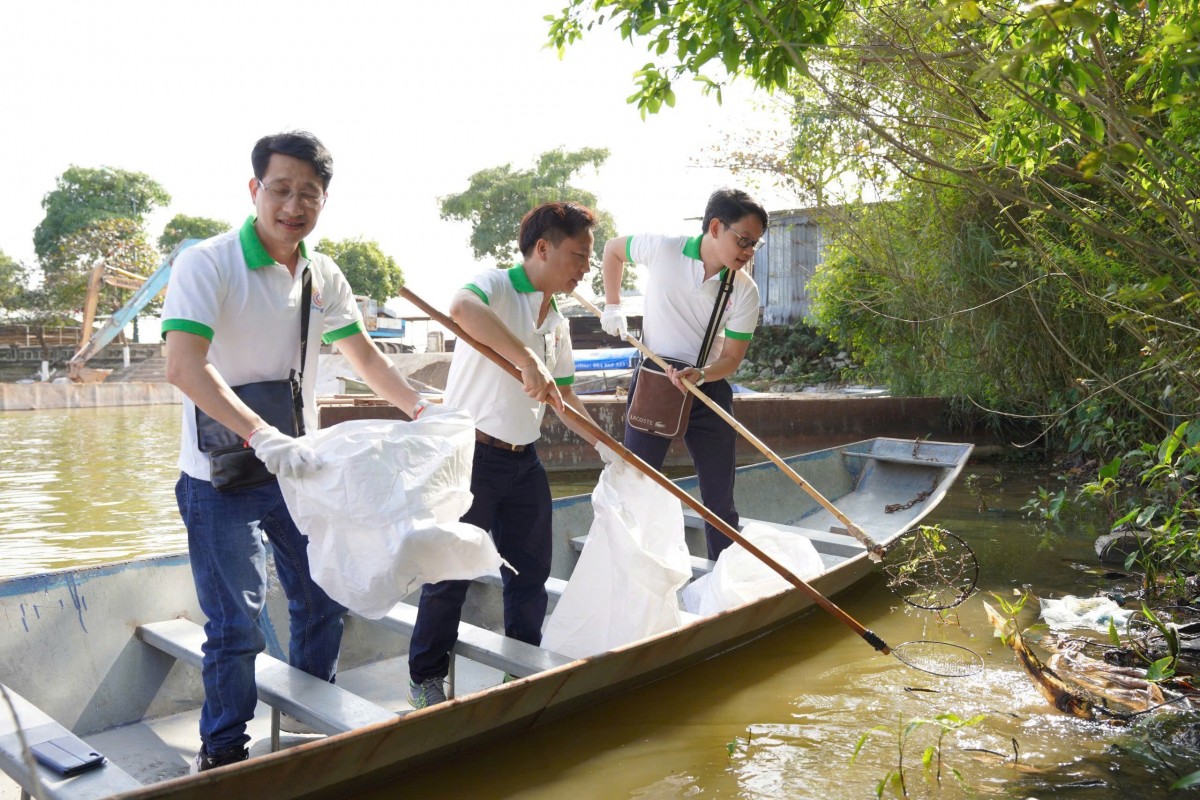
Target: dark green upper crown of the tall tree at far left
85,196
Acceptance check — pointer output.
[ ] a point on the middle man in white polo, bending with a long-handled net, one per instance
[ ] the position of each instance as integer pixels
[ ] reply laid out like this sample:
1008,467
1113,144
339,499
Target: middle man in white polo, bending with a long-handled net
514,312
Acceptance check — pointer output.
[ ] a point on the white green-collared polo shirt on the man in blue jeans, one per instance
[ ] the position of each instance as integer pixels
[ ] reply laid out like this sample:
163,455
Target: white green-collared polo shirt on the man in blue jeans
231,292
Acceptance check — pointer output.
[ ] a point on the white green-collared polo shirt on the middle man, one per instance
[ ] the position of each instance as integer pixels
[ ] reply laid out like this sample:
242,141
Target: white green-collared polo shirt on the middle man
490,395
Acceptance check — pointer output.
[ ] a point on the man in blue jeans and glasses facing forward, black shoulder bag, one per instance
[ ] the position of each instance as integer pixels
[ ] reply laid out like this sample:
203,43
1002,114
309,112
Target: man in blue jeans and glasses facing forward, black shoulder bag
233,317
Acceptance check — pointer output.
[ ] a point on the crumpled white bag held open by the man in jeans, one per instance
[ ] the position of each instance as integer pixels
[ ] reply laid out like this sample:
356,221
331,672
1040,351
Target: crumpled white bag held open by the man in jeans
382,514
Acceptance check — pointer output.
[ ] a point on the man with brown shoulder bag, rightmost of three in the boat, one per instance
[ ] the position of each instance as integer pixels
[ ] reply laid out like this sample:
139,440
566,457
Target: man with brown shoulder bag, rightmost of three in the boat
683,278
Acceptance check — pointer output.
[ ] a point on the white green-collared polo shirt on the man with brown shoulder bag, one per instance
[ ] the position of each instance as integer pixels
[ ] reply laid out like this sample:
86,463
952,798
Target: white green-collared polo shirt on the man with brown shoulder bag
680,302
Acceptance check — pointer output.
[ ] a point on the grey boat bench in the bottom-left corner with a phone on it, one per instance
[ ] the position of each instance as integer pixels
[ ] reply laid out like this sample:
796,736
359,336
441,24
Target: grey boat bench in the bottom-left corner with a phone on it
103,781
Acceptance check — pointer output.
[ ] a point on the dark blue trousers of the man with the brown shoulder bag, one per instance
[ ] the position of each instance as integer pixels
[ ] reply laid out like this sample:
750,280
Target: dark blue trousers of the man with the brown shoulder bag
712,442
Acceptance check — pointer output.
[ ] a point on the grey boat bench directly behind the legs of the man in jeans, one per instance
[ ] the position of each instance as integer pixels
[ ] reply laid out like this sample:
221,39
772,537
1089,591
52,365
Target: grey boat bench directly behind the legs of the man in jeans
325,707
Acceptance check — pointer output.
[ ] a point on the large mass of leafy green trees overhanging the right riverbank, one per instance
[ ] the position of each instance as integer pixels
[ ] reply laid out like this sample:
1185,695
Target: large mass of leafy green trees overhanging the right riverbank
1040,245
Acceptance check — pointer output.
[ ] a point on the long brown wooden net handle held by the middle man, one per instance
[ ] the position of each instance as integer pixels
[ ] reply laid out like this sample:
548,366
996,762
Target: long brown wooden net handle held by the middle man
658,478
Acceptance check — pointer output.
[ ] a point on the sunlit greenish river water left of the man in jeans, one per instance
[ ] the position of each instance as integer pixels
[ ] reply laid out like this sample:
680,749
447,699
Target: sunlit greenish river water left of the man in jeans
87,486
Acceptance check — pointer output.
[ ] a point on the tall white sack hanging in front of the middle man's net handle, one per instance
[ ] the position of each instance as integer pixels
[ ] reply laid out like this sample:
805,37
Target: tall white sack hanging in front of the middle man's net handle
626,585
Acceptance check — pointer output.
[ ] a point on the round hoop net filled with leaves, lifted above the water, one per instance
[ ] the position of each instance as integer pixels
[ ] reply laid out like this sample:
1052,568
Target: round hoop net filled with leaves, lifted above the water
931,568
